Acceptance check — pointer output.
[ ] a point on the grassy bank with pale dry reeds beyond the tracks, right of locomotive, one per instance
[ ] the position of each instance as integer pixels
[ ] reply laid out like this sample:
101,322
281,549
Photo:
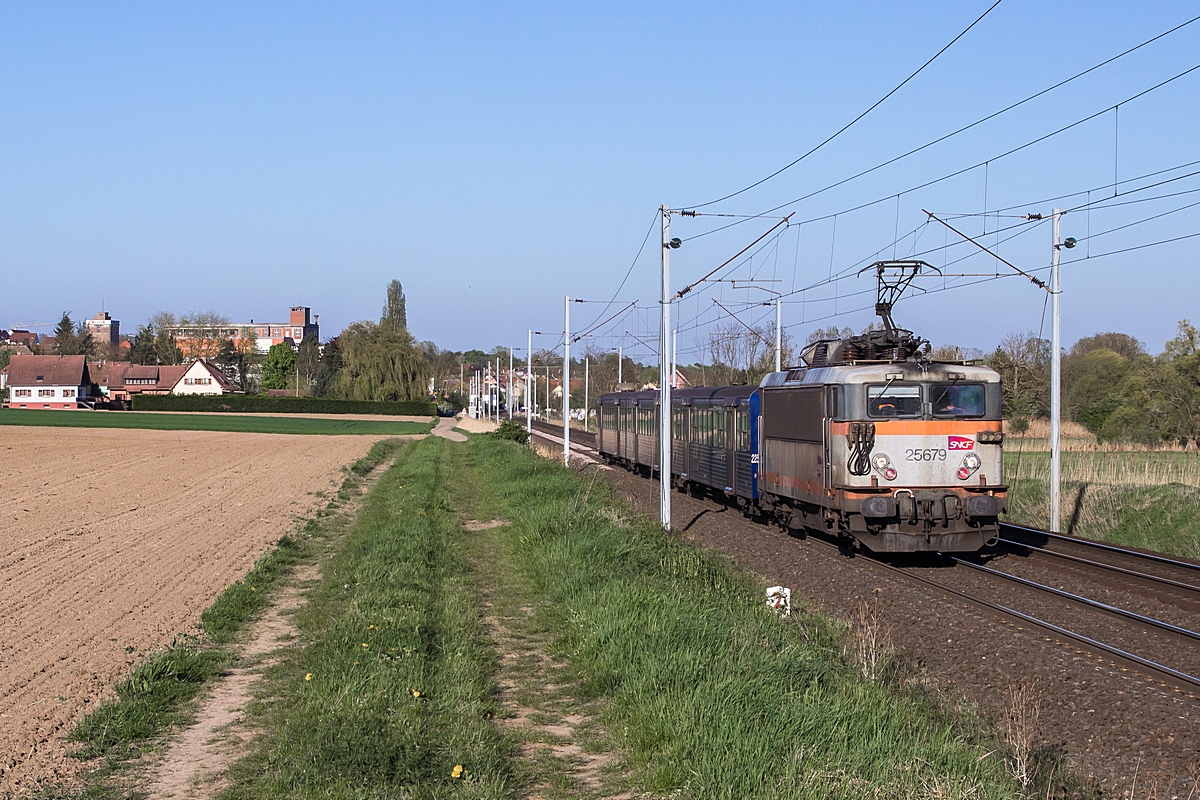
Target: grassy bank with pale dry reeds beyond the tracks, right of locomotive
1137,500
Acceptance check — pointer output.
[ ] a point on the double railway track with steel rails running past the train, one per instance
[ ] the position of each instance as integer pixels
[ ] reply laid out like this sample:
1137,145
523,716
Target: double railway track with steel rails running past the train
1166,653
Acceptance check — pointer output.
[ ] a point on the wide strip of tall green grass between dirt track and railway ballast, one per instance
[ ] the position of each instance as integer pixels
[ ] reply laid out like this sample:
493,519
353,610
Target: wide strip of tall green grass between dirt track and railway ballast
705,693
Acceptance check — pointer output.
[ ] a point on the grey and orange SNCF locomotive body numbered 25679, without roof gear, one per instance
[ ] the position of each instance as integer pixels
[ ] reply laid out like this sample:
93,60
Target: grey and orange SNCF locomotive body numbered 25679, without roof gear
902,455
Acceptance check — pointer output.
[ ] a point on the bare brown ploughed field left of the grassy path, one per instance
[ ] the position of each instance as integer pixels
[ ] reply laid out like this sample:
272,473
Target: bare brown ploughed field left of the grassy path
116,542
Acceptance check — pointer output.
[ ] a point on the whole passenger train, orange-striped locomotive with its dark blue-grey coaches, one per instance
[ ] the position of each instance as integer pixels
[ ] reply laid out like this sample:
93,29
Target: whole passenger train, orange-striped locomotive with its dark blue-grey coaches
868,441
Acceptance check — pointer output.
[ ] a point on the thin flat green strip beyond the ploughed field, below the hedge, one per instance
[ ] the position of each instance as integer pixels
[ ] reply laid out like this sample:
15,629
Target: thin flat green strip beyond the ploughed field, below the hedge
225,423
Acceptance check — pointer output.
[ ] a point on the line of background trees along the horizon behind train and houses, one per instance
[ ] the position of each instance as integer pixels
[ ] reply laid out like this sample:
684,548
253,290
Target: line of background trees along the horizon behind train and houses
1111,383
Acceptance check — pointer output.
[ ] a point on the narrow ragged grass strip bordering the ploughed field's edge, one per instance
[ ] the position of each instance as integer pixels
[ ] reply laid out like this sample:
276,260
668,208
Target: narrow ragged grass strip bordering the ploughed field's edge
160,694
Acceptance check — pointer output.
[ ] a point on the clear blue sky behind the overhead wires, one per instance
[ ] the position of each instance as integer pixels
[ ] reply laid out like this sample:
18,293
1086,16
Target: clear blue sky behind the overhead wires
244,158
